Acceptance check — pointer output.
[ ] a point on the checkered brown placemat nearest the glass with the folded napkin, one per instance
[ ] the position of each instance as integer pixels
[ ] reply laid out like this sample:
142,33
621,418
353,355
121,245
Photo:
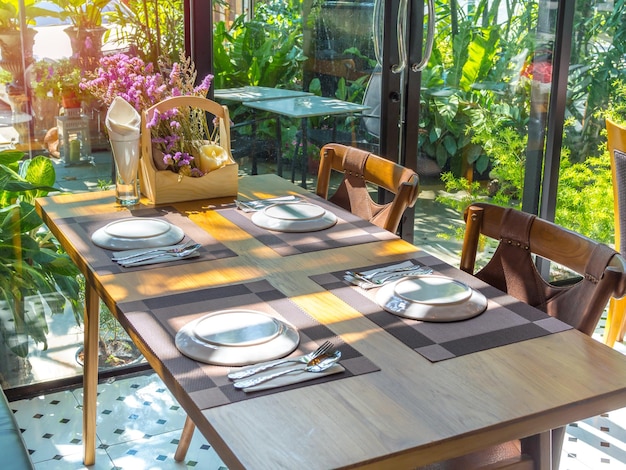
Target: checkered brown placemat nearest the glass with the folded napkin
80,229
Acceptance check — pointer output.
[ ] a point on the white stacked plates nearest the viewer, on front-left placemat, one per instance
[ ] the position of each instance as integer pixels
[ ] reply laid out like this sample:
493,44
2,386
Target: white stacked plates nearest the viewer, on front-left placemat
237,338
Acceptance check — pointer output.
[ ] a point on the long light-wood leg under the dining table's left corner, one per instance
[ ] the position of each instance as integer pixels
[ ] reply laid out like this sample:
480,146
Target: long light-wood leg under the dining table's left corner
90,373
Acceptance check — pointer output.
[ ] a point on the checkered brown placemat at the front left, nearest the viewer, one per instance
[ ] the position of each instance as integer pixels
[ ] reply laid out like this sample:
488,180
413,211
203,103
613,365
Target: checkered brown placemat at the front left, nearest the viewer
157,320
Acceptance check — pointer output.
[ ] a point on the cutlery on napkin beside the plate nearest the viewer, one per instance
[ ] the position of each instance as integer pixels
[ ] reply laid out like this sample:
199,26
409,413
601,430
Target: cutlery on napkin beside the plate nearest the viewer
319,360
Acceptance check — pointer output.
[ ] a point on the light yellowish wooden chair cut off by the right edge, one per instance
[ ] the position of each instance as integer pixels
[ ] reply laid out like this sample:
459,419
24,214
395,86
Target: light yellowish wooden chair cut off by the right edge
616,143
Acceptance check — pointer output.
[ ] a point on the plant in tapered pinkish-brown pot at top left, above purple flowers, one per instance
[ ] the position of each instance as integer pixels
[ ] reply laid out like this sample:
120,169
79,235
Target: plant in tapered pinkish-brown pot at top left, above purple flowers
86,31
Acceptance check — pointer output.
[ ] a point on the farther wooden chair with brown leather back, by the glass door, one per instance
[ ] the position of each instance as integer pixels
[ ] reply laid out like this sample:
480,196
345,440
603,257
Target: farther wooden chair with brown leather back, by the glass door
359,168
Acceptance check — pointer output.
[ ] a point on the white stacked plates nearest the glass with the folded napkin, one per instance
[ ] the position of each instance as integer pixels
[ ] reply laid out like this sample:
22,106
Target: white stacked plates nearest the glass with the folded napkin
137,232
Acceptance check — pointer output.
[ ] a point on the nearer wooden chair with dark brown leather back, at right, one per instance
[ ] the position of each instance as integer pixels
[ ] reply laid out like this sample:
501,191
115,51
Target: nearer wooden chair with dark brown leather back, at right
600,273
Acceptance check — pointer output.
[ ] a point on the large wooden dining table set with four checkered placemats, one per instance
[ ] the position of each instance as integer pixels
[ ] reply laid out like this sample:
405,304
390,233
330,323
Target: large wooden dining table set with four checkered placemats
401,403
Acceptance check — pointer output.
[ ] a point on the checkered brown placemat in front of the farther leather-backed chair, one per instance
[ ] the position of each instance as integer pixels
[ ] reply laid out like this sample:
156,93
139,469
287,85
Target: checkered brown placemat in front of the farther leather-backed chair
349,230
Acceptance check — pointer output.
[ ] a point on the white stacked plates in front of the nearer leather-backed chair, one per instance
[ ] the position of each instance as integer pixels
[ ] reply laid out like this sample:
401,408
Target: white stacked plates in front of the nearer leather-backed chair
431,298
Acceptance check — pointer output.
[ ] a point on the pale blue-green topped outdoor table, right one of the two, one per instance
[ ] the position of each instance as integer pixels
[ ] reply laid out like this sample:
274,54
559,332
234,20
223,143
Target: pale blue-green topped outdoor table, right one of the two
303,108
